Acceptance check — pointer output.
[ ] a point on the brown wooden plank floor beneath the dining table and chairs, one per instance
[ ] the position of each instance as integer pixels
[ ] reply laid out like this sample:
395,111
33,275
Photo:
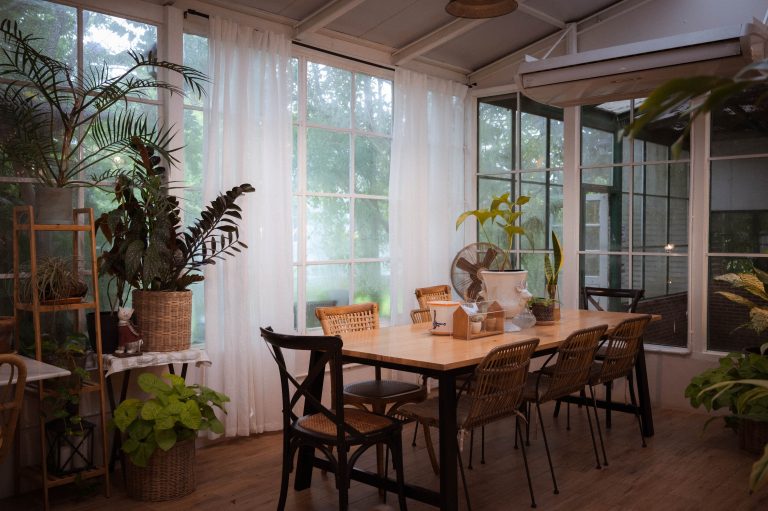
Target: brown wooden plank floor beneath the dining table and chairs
681,469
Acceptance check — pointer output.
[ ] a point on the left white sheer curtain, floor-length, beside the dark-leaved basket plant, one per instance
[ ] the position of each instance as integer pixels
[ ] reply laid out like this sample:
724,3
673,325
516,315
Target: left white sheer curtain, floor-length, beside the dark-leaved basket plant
248,135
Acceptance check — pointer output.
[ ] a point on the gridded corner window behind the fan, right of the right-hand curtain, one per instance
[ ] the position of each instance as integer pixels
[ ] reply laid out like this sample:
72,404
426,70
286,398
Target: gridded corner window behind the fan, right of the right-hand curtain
525,161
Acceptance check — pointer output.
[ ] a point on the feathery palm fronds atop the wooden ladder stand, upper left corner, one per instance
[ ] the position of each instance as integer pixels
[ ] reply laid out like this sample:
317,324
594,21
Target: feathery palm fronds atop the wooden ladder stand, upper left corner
49,110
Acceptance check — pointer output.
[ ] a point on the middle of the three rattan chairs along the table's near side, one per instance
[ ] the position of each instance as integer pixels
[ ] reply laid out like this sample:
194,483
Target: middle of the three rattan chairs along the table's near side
568,374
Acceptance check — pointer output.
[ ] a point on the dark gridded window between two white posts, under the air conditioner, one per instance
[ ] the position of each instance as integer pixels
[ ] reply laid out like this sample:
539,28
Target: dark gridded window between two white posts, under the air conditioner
634,214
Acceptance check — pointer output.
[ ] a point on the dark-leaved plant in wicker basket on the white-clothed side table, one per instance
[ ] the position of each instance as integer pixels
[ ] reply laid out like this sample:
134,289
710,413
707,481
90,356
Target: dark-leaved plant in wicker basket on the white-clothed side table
152,254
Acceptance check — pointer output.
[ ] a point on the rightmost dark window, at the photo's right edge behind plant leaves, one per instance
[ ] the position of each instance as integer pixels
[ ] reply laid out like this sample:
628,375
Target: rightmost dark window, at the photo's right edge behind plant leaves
738,222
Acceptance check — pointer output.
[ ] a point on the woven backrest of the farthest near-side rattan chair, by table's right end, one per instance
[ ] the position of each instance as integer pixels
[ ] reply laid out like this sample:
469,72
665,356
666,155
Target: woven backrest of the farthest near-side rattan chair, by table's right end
622,347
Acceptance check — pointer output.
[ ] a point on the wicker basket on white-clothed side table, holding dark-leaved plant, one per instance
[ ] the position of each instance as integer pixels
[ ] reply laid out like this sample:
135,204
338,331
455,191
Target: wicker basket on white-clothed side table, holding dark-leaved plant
164,319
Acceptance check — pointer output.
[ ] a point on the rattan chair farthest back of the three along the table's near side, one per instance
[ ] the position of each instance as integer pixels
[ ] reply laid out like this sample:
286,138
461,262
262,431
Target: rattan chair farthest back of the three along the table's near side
618,361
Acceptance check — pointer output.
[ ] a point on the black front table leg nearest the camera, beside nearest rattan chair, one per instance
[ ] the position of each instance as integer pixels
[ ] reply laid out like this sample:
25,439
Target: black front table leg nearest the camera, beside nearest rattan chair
449,494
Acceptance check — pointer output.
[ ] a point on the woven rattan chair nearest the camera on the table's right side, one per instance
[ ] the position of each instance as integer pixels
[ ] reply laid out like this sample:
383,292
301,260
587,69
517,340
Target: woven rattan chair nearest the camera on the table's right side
494,392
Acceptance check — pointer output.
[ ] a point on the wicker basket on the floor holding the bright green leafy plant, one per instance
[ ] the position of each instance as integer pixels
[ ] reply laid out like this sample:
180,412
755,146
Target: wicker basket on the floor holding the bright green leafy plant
168,475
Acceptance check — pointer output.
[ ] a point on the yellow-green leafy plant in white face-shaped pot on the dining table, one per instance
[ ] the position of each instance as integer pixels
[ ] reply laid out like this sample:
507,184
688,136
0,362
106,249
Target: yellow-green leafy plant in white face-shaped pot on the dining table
507,286
